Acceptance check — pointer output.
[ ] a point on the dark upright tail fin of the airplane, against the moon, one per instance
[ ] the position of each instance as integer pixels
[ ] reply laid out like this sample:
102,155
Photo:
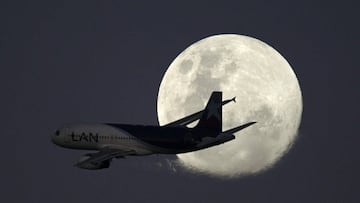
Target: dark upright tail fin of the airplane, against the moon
212,116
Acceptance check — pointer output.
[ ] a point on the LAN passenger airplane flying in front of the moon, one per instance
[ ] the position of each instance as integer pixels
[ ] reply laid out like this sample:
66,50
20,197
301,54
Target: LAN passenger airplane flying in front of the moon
113,140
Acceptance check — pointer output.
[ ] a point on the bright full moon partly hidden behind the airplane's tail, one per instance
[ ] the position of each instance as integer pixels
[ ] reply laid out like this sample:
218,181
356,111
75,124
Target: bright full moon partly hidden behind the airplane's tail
266,89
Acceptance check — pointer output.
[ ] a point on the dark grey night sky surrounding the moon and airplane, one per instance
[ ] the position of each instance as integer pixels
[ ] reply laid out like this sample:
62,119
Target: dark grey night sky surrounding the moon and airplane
98,61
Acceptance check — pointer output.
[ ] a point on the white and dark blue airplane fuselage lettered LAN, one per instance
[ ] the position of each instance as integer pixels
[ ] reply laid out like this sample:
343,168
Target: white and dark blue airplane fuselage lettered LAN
141,140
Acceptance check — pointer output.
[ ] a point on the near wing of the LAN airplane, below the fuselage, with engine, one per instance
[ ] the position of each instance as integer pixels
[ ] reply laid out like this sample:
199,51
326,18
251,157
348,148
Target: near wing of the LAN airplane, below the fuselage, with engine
98,159
